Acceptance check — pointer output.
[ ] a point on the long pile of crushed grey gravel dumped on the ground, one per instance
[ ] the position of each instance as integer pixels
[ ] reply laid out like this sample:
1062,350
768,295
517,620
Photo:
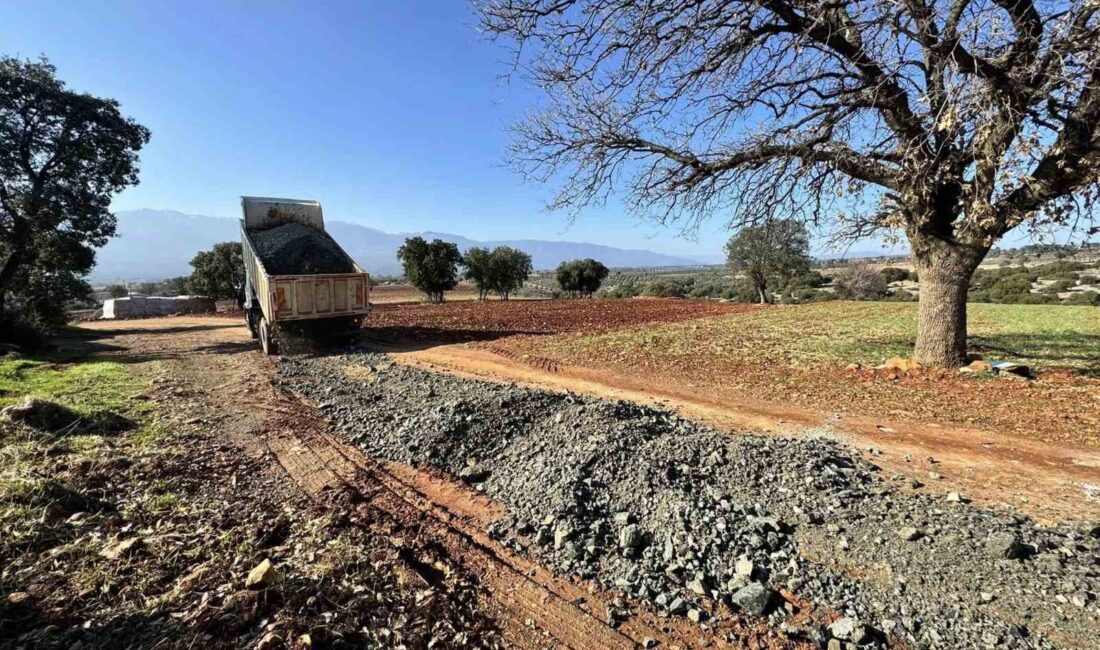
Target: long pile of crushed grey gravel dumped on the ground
684,516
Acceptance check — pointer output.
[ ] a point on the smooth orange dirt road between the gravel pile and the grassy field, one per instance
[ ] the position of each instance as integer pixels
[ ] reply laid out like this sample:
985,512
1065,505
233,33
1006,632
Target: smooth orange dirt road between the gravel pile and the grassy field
1052,483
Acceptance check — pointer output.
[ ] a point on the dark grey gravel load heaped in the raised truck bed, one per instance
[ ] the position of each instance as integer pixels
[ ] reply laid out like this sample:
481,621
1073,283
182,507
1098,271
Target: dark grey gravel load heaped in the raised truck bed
295,249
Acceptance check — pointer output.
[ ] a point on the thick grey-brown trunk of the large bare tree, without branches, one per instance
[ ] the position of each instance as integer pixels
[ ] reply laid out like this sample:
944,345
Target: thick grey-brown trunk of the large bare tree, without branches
944,272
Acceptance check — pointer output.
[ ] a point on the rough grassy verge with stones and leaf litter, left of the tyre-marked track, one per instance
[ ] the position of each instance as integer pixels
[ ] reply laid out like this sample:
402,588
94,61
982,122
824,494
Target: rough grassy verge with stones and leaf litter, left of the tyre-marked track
128,521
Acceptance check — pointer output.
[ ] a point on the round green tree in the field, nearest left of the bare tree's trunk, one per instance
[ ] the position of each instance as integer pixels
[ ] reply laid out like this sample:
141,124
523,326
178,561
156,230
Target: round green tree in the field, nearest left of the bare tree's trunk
775,249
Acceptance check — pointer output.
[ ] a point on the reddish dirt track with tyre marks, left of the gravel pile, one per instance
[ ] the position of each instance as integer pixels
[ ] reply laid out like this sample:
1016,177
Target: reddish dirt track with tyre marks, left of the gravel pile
438,525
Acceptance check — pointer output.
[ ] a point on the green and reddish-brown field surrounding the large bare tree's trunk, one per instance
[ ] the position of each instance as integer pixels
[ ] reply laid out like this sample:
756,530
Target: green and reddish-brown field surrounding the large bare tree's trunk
800,356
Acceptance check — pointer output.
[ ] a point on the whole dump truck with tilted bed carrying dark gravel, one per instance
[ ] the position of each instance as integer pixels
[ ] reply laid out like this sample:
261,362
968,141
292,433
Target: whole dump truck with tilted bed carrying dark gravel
298,278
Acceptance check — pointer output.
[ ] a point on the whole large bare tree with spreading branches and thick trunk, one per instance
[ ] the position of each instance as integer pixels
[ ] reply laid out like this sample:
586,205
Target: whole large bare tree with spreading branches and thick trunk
952,123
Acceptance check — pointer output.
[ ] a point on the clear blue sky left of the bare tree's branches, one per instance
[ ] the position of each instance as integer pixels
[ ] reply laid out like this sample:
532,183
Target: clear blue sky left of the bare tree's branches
393,114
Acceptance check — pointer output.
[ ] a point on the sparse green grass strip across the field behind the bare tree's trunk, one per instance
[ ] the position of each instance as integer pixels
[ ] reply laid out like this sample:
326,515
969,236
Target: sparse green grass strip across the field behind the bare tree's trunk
838,333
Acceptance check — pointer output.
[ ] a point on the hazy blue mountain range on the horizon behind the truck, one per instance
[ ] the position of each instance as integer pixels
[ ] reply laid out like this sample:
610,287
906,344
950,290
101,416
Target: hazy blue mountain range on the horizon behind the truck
156,245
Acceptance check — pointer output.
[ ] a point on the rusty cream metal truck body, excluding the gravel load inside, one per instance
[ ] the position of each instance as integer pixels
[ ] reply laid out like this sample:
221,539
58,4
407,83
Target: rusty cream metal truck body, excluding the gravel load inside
272,301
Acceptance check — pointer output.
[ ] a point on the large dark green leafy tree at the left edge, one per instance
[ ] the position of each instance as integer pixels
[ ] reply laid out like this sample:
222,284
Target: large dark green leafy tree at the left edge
63,157
